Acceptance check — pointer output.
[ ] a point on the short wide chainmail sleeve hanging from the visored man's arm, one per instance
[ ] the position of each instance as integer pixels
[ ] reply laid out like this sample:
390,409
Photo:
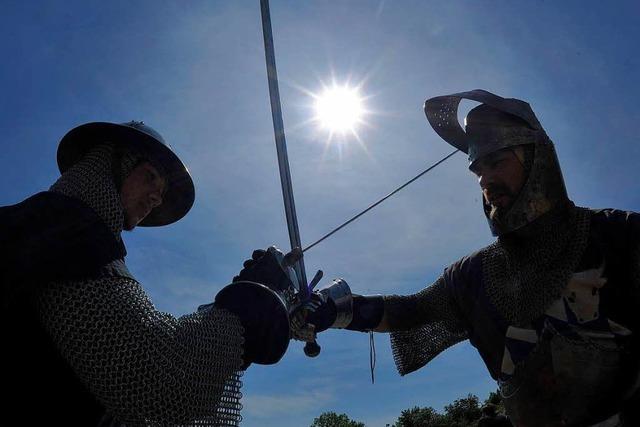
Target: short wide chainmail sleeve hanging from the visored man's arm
439,326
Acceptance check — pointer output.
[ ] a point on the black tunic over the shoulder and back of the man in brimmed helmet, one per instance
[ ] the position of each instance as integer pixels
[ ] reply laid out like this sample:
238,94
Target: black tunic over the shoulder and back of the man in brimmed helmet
48,237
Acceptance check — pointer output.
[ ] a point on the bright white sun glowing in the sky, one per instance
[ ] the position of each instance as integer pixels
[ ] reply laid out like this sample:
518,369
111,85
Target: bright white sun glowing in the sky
339,109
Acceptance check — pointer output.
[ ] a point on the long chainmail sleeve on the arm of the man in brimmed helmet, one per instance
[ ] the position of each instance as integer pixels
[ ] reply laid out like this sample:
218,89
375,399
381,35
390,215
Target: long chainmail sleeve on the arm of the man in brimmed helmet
144,366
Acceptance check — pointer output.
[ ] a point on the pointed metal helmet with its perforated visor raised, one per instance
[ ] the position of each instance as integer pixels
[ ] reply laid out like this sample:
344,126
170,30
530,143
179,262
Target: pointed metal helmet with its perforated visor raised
497,124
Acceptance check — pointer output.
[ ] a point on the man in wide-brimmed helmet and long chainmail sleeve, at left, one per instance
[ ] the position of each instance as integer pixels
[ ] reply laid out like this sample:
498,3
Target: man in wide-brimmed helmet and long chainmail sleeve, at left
83,344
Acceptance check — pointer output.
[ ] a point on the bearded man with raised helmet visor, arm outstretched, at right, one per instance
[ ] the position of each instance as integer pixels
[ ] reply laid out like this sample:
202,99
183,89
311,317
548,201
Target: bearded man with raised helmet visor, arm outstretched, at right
551,305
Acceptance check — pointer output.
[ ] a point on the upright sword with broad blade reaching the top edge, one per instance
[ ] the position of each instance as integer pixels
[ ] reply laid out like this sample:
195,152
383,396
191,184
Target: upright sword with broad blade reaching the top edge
311,349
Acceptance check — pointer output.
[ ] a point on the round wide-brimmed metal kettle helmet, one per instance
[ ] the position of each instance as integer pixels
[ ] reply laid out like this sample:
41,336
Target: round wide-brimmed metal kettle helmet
180,193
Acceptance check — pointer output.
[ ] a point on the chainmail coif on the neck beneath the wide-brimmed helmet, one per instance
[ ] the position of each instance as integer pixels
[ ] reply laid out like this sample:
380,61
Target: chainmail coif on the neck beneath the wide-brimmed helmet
91,181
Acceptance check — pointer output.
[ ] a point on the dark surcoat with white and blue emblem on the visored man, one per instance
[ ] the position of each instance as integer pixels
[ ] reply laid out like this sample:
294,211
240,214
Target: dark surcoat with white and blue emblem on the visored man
587,342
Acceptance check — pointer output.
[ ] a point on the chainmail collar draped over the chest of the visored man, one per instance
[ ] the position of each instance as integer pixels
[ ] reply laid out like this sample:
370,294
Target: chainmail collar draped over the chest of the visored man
524,275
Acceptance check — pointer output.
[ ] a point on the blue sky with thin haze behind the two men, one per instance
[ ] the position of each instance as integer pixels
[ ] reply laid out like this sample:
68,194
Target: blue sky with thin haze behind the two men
194,70
